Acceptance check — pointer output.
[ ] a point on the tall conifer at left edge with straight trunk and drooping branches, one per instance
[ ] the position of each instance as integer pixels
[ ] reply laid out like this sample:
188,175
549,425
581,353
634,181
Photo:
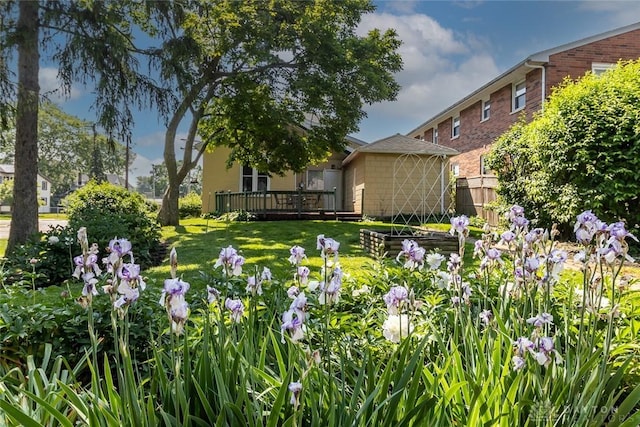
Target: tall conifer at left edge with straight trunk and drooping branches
91,43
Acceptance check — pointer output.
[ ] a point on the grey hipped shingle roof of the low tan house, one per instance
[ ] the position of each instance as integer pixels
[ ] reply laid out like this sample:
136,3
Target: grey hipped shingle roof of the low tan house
401,144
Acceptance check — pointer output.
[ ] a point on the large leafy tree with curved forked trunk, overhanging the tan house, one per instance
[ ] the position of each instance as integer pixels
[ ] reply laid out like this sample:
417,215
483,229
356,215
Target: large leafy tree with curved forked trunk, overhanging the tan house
282,83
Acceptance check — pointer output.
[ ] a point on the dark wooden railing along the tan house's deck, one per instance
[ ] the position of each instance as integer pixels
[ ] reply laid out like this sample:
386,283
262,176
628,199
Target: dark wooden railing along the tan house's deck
263,202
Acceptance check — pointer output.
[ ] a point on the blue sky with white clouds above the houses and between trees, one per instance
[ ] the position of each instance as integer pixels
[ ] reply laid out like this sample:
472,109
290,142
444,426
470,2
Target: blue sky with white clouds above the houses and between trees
449,49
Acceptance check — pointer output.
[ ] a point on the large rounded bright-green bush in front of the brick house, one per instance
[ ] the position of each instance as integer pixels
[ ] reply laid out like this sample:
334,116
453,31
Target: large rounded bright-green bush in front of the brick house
581,152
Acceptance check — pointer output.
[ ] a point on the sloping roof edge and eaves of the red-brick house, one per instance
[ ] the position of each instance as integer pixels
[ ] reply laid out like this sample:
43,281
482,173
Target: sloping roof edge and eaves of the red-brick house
516,73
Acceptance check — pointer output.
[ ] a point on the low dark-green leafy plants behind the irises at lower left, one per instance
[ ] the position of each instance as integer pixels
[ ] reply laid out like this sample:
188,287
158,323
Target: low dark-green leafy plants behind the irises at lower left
56,318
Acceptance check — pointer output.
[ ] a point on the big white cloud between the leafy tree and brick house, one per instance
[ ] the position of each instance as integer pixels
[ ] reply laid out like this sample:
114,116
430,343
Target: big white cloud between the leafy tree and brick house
440,67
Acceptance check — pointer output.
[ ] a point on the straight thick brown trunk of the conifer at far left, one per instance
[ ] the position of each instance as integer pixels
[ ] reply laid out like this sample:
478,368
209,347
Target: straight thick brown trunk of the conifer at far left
24,216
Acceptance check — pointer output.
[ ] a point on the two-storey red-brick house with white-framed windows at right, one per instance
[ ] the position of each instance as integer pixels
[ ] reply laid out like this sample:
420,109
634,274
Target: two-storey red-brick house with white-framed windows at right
473,123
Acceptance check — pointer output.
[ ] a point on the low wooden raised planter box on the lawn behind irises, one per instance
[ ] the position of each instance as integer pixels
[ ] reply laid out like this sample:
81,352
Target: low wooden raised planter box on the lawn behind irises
383,243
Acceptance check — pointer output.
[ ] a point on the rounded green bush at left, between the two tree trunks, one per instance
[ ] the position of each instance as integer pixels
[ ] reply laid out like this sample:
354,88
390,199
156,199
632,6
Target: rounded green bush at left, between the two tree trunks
109,211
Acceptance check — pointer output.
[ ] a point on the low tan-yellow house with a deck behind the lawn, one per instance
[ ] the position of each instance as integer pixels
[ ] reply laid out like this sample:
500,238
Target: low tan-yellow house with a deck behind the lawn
367,178
